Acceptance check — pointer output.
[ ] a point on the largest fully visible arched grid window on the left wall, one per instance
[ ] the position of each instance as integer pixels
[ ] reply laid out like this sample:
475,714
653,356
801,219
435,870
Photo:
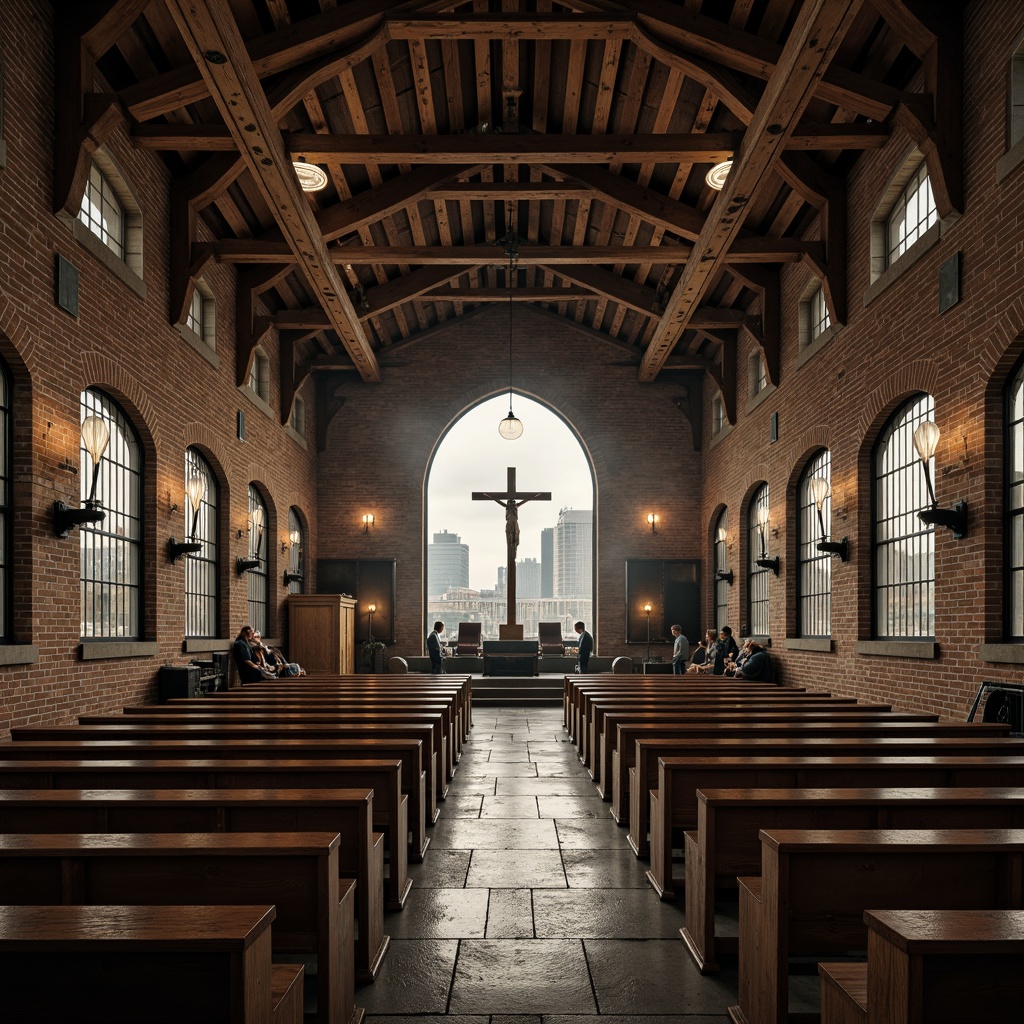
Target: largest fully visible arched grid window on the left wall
112,549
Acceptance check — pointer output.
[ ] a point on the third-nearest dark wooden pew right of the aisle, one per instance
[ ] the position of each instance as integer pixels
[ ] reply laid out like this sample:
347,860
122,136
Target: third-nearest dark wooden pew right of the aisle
726,843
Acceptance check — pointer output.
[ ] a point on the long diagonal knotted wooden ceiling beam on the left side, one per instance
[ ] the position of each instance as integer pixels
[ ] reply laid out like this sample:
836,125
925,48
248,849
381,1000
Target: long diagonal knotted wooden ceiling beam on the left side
212,37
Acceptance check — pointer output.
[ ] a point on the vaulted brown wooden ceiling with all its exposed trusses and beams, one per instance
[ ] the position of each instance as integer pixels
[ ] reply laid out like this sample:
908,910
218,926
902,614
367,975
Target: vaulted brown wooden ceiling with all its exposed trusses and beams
575,136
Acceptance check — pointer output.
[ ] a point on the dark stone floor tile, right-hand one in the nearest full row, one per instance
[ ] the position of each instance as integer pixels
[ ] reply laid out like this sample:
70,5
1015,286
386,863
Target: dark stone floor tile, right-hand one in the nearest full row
625,973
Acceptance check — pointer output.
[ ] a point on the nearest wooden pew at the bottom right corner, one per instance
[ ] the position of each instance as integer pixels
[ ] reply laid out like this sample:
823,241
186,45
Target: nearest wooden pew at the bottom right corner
931,965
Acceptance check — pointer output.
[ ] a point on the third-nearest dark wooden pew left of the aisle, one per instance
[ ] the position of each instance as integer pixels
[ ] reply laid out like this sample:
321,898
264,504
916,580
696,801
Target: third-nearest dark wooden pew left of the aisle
350,813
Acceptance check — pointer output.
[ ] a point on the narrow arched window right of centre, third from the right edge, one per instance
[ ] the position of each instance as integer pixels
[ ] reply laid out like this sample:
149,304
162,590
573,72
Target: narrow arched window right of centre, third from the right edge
815,578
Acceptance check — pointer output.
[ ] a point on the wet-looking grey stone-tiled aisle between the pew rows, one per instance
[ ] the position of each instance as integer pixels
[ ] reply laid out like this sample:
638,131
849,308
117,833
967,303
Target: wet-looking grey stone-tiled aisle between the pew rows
531,903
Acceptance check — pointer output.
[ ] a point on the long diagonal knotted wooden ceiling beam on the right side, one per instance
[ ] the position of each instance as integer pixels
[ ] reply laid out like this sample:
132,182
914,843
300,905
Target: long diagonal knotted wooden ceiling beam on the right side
814,40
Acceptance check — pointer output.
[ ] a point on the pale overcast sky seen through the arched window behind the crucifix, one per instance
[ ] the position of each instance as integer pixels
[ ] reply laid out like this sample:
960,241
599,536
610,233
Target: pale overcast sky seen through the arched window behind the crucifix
475,457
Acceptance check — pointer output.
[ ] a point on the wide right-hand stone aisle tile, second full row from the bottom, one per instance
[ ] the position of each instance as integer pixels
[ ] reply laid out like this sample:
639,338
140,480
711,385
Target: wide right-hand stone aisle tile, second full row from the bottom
606,914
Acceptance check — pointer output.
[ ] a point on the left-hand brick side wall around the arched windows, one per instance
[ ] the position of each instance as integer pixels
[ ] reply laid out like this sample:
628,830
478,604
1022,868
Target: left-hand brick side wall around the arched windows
175,397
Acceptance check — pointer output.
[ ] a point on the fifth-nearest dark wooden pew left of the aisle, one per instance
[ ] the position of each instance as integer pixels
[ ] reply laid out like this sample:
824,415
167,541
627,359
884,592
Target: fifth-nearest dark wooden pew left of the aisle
410,752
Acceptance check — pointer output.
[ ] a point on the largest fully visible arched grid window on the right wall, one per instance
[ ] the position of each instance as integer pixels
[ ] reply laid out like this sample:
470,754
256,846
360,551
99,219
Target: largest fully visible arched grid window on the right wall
905,547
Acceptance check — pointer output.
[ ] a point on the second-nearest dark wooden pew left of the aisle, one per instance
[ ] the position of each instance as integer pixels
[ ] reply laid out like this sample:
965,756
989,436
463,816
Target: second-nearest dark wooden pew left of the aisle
297,873
